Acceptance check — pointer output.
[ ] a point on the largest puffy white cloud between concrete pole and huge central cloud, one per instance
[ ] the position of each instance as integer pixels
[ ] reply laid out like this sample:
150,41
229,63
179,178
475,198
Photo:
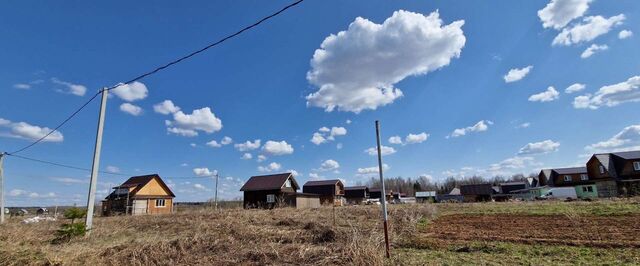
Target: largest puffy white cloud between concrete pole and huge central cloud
188,124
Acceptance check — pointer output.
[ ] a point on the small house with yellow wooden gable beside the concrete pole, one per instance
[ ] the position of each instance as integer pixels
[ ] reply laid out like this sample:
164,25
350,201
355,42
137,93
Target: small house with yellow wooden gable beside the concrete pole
146,194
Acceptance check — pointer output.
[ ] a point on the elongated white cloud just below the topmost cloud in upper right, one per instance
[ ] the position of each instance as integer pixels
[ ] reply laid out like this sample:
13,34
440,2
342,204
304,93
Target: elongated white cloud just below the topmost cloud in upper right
588,30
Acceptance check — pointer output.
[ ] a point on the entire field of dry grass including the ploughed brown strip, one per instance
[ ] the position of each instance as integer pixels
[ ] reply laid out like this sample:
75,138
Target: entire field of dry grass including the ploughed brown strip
557,233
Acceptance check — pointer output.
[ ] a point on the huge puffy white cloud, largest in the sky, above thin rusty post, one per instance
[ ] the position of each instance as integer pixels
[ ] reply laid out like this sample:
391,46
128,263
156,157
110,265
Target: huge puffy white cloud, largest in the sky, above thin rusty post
357,69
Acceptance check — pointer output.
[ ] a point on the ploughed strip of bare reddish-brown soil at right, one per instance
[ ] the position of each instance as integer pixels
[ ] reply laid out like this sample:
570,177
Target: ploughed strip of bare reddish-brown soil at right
591,231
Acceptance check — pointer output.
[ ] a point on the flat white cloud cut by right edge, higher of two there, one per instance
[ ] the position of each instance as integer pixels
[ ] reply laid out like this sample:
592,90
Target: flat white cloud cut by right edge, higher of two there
611,95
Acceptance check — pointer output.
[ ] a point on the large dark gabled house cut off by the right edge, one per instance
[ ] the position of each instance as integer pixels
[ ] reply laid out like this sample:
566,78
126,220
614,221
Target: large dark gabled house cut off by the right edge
616,173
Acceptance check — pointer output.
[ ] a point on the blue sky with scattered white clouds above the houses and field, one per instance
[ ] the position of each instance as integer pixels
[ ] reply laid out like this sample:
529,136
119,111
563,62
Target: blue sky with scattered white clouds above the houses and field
437,70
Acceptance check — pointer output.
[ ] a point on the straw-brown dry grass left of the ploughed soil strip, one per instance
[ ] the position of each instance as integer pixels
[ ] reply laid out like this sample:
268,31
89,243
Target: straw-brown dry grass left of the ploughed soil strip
225,237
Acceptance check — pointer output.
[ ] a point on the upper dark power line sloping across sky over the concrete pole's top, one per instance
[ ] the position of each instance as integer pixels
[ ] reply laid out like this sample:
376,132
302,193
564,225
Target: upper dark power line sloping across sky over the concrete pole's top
160,68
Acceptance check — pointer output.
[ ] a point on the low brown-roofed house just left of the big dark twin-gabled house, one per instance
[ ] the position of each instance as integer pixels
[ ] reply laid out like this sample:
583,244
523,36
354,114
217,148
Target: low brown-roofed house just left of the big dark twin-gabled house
564,177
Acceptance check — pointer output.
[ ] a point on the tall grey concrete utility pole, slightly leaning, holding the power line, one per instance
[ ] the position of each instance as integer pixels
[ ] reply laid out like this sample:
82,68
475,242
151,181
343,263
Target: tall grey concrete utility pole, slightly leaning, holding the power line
96,163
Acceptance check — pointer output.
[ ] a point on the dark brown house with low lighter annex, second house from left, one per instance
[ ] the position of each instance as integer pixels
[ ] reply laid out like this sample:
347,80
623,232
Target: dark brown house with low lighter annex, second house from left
277,190
